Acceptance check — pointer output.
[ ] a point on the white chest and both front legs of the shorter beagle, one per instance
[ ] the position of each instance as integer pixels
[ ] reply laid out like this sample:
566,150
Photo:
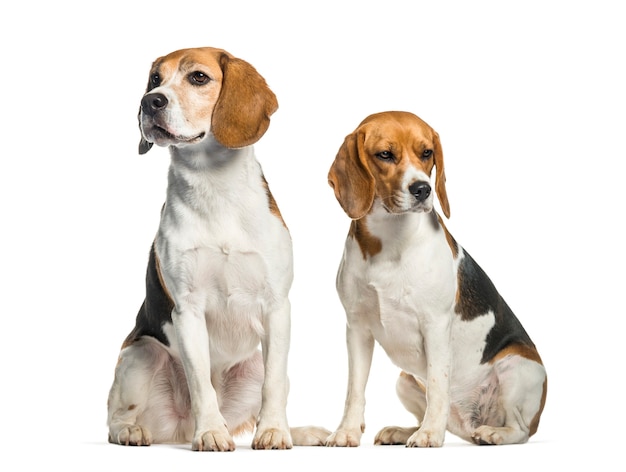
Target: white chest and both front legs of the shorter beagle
414,302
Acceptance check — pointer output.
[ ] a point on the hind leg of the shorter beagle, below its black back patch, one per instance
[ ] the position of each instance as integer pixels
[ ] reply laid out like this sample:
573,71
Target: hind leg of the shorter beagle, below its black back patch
522,393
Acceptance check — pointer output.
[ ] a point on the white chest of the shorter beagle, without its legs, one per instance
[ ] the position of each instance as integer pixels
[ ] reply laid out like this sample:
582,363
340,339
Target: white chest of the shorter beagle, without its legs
401,293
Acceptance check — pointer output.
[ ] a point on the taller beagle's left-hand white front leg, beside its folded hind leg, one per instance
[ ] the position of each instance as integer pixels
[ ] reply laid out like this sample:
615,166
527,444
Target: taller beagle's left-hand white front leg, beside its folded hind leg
211,433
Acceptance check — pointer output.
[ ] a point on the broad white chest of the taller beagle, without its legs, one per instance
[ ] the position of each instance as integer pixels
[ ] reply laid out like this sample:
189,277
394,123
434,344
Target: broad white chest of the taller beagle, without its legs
224,256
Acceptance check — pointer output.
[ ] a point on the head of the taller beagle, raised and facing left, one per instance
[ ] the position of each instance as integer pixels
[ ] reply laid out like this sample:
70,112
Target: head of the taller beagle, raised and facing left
196,93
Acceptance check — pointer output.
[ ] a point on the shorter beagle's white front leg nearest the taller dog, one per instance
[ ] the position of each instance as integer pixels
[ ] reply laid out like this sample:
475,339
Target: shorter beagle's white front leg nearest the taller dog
360,345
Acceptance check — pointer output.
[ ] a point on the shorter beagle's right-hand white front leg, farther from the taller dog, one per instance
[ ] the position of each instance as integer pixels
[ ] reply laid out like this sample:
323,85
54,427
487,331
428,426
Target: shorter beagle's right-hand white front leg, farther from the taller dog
438,355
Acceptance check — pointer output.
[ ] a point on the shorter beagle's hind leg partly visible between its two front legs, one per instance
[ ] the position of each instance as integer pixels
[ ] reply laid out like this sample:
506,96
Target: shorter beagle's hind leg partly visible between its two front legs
413,397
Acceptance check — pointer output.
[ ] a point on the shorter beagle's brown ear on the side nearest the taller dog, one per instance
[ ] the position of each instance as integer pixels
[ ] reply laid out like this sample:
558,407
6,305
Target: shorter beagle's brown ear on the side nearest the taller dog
351,179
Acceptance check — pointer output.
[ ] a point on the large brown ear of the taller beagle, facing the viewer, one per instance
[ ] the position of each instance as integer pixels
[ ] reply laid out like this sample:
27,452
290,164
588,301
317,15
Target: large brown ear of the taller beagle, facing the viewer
243,109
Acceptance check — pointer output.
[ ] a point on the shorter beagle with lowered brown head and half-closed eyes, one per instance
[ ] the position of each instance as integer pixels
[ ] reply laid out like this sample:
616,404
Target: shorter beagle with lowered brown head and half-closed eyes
468,365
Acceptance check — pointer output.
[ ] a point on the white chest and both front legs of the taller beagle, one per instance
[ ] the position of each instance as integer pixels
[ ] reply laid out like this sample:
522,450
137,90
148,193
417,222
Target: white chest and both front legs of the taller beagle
229,281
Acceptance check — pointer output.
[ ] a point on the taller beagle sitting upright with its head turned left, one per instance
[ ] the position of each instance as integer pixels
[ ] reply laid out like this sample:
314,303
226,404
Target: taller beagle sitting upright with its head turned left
219,271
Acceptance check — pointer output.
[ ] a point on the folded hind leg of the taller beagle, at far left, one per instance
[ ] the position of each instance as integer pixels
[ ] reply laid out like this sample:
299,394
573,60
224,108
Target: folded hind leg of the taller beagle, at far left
146,403
